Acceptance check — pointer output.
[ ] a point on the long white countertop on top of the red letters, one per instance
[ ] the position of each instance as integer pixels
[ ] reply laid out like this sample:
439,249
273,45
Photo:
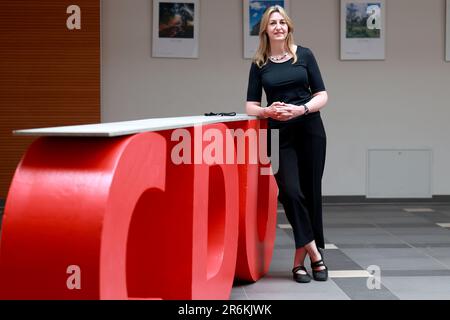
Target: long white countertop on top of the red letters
114,129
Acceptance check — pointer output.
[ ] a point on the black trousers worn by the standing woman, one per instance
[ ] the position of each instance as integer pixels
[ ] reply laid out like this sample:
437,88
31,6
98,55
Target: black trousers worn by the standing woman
299,178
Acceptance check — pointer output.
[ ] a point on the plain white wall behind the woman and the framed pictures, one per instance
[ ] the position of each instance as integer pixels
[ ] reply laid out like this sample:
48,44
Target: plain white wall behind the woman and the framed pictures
401,102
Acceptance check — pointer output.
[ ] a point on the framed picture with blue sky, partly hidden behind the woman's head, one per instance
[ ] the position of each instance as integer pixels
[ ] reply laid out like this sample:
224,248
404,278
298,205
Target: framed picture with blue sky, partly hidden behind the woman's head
253,12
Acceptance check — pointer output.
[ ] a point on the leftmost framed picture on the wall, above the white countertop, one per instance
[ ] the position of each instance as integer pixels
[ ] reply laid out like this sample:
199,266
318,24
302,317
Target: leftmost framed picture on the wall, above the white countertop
175,28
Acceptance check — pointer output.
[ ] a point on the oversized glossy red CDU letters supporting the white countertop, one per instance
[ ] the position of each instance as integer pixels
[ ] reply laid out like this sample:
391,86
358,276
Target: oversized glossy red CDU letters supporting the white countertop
130,223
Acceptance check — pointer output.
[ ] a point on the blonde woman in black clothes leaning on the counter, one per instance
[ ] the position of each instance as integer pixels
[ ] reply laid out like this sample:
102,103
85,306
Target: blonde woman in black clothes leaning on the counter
295,93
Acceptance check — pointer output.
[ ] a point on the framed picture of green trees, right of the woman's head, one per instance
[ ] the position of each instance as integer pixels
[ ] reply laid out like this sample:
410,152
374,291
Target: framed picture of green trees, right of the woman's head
363,29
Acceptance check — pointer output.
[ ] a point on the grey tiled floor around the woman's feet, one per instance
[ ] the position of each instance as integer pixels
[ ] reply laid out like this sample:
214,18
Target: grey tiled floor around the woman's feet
409,245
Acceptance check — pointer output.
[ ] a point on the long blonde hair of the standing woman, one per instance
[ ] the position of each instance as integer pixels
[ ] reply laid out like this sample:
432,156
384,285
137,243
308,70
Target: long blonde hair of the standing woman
262,54
